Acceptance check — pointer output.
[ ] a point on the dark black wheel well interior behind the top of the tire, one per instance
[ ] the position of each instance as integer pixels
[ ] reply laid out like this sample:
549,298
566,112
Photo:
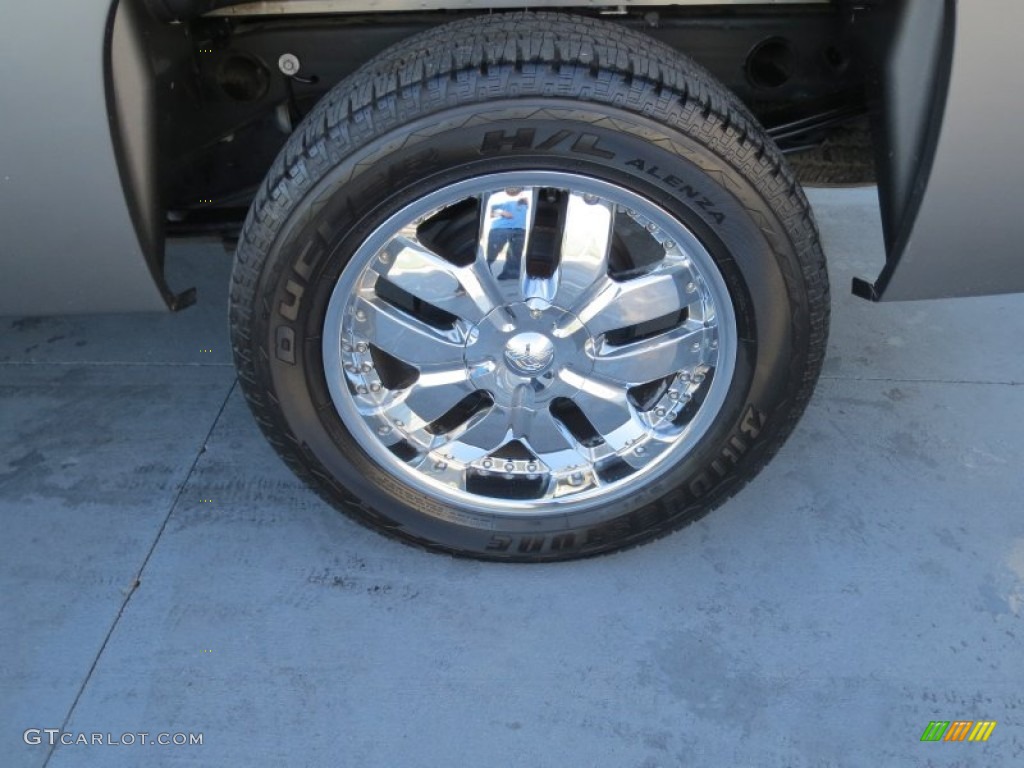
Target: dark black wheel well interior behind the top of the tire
227,106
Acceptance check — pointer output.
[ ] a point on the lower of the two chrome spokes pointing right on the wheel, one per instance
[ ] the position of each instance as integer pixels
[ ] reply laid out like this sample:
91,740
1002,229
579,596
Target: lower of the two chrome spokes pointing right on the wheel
654,359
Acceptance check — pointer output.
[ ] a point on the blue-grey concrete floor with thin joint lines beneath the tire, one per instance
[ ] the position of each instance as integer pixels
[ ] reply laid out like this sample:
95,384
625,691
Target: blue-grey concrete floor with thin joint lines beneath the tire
870,581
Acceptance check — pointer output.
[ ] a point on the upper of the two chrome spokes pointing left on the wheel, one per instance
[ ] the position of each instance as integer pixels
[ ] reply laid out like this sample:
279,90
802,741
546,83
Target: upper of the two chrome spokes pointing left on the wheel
420,272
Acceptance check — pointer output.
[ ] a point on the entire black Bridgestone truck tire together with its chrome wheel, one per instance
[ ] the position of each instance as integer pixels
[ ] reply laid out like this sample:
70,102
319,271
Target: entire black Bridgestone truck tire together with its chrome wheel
529,287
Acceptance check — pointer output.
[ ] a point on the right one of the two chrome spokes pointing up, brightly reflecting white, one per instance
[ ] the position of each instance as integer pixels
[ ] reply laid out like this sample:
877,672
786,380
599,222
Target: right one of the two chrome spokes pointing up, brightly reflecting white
586,240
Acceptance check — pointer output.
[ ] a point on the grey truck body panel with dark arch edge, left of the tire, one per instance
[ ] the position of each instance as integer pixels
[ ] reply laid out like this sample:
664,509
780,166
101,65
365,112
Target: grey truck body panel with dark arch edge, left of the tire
72,240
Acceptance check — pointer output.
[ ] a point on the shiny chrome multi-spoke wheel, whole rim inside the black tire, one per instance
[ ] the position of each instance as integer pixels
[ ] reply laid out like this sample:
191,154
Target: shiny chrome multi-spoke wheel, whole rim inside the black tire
530,344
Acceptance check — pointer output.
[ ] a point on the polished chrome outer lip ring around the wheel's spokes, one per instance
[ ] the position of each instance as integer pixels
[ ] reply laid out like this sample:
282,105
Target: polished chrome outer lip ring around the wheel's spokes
563,500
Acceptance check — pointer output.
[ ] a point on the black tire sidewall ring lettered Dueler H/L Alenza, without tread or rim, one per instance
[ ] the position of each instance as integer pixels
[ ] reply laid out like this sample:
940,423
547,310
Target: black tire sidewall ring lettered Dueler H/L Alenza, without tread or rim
707,191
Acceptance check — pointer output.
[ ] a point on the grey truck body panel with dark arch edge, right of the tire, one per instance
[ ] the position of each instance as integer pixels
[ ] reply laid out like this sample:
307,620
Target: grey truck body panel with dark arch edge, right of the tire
950,174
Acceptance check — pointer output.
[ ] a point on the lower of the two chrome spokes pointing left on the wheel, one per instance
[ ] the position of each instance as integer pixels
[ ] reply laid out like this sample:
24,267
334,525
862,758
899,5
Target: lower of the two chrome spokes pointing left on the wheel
404,336
